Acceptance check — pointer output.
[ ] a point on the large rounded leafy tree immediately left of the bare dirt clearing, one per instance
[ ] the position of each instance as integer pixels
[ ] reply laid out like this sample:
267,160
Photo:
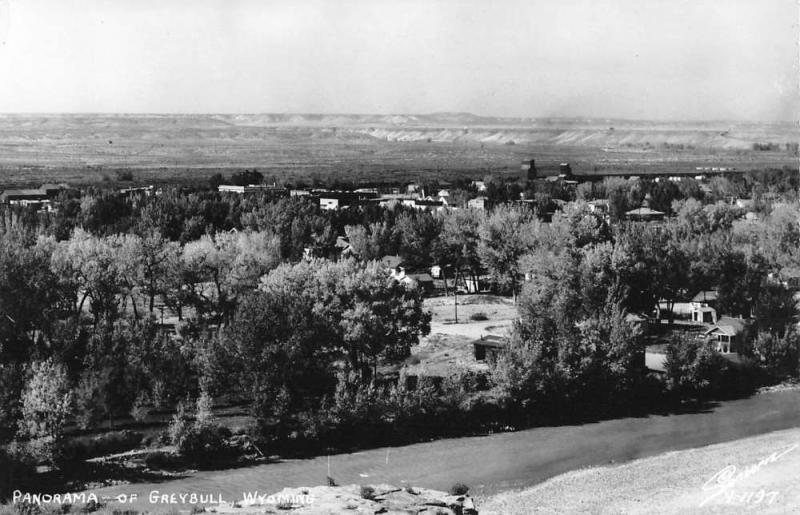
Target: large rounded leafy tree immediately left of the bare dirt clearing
311,318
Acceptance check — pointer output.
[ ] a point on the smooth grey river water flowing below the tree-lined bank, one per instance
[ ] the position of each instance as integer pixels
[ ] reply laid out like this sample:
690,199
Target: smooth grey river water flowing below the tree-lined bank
499,462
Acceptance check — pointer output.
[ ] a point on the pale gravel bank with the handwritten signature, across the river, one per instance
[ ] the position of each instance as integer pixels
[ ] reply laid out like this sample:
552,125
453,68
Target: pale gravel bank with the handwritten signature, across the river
754,475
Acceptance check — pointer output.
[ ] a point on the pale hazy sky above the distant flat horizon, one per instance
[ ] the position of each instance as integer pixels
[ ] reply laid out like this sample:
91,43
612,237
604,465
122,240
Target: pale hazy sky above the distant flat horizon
673,59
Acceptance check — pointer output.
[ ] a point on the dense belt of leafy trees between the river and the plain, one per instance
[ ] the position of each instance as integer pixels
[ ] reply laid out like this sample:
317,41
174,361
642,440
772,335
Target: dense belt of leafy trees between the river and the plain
114,305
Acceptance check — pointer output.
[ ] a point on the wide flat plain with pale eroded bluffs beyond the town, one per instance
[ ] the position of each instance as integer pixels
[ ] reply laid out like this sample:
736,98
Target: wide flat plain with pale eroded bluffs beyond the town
83,149
